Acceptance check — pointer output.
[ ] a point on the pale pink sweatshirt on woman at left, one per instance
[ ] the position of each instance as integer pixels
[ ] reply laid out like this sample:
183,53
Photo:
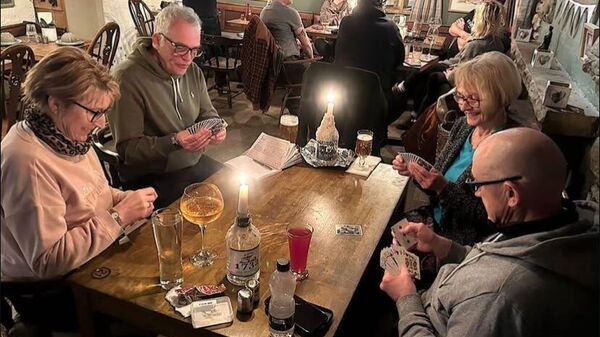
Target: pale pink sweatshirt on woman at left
54,208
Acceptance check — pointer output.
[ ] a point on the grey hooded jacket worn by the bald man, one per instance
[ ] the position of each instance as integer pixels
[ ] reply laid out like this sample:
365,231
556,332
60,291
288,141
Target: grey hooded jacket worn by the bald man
540,284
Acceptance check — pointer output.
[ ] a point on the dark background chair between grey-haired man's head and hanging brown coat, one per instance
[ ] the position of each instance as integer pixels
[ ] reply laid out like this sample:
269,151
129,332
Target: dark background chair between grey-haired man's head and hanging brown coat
222,57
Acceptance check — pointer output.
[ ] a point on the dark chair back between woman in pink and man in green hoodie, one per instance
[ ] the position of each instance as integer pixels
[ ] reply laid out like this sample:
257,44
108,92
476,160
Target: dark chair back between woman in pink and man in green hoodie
108,158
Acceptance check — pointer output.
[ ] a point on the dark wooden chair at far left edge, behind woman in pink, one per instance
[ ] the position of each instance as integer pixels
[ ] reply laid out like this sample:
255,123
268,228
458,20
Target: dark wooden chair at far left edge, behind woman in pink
15,61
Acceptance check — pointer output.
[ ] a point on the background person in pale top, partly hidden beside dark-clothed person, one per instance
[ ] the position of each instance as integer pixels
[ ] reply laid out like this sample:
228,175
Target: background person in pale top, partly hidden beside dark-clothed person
332,13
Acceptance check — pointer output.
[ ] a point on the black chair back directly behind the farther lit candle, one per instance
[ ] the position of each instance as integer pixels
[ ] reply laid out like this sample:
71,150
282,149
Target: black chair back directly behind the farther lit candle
360,103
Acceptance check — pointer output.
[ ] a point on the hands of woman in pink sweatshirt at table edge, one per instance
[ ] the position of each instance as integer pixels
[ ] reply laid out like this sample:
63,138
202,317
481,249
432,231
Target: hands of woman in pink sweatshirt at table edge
136,205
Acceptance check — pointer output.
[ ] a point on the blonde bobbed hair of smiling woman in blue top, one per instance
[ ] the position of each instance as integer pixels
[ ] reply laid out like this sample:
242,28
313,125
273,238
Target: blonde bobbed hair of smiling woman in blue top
494,76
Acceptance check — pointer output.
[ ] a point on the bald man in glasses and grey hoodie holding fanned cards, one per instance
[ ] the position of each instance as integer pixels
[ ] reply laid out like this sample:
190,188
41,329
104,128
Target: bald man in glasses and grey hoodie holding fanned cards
538,276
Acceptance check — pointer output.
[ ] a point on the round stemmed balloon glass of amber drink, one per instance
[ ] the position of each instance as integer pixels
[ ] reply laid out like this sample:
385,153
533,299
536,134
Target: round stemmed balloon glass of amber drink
201,204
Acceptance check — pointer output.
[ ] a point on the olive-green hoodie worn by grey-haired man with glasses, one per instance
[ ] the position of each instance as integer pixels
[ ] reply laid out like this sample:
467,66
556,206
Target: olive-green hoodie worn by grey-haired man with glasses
154,106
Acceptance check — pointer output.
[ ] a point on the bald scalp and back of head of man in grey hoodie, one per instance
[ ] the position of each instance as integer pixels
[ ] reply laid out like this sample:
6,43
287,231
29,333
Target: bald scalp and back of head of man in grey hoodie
530,154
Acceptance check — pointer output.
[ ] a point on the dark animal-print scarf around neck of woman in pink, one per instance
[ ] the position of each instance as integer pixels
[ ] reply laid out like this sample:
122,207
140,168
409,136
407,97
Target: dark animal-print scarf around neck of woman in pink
44,128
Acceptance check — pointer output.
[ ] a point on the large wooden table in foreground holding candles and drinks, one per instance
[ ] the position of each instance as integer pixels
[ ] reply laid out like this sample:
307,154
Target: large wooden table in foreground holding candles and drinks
321,197
